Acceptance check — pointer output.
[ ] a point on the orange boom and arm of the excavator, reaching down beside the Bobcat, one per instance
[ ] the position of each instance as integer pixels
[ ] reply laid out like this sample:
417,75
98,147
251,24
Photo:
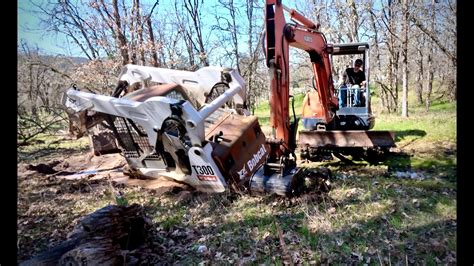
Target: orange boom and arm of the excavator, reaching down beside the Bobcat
304,35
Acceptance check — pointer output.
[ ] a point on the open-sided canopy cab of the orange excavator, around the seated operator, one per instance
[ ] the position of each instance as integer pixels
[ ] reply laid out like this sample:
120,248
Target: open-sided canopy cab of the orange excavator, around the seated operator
354,111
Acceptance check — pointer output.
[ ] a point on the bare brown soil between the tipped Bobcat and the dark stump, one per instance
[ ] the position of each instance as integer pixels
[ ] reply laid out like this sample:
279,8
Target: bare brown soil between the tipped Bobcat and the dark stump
53,195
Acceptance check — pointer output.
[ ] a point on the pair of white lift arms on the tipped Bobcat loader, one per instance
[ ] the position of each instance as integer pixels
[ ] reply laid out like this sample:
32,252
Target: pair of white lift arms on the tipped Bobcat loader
146,113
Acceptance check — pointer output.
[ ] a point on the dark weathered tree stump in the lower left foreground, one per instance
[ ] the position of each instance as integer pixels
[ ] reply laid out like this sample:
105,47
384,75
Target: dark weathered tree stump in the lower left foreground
100,238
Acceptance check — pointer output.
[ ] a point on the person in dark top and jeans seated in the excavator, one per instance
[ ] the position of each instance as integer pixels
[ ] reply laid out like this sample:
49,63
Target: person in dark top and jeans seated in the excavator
353,79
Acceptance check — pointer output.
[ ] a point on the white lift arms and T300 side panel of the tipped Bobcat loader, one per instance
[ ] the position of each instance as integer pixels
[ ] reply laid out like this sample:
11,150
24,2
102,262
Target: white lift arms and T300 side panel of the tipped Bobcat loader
151,113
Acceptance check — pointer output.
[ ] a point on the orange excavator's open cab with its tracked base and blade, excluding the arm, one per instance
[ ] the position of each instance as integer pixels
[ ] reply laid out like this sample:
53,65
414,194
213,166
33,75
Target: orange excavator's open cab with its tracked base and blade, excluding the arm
349,132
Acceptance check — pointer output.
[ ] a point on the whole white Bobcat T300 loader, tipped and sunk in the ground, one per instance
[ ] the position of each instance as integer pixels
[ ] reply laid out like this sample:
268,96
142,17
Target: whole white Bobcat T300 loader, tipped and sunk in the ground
188,126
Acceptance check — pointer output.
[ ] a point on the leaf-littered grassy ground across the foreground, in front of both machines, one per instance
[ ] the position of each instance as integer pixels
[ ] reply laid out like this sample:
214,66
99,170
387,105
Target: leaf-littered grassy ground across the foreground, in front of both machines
371,216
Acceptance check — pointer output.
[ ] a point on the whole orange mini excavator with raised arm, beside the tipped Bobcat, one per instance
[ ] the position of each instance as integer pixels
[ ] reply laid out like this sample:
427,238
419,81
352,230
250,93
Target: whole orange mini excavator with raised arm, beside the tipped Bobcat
329,129
